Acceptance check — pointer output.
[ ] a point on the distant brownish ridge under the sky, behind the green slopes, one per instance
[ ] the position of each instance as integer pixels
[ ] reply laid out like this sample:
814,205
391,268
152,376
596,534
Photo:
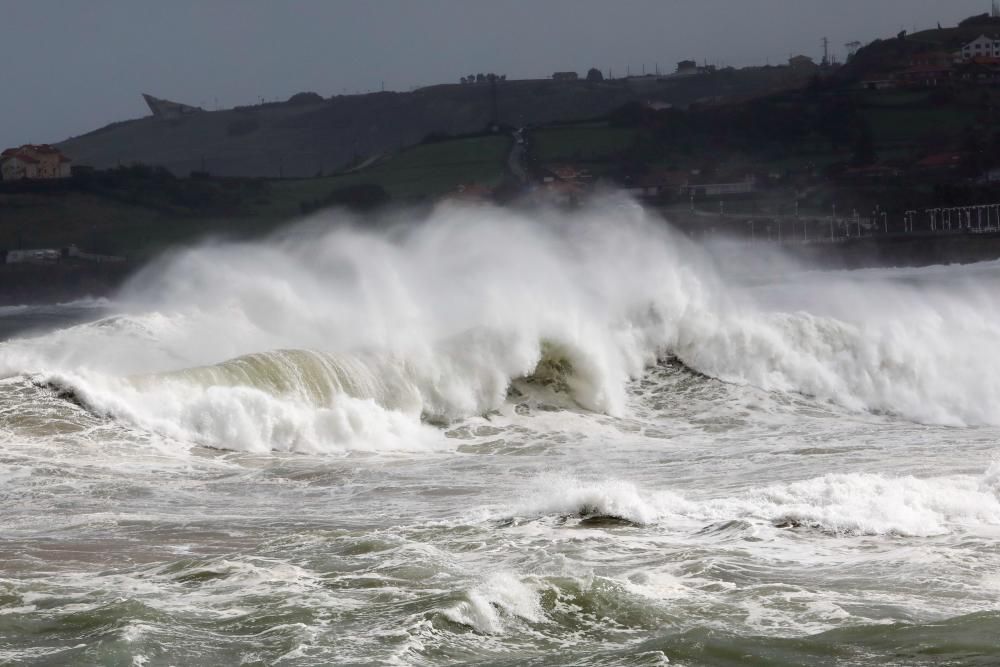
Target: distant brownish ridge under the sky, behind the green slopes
298,139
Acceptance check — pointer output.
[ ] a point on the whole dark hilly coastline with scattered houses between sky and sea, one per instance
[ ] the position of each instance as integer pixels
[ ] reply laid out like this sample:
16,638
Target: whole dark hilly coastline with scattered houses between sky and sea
904,136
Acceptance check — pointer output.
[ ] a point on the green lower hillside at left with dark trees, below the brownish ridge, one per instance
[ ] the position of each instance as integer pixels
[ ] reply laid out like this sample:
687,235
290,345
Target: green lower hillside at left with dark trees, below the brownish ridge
138,211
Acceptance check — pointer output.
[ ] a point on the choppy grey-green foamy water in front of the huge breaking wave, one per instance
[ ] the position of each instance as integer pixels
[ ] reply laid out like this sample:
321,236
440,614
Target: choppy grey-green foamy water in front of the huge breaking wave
119,548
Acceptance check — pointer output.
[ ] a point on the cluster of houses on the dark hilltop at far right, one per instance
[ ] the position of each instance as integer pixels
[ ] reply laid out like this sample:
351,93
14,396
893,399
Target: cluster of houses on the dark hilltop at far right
978,62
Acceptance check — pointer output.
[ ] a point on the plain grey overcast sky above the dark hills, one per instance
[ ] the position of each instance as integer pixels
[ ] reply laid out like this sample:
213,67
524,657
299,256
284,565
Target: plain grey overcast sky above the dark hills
71,66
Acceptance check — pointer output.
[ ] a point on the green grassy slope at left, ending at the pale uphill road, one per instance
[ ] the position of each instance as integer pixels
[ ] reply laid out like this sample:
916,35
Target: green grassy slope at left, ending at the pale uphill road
142,229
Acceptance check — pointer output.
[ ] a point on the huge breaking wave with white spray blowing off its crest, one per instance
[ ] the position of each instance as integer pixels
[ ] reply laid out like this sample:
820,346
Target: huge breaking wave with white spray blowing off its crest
337,337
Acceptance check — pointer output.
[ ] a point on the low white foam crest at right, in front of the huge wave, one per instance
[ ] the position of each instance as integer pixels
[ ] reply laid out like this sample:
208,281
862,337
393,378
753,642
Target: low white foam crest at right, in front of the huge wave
851,503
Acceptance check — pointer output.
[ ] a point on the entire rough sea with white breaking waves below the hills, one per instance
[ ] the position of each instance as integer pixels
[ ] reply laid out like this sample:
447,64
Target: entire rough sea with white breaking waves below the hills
498,437
